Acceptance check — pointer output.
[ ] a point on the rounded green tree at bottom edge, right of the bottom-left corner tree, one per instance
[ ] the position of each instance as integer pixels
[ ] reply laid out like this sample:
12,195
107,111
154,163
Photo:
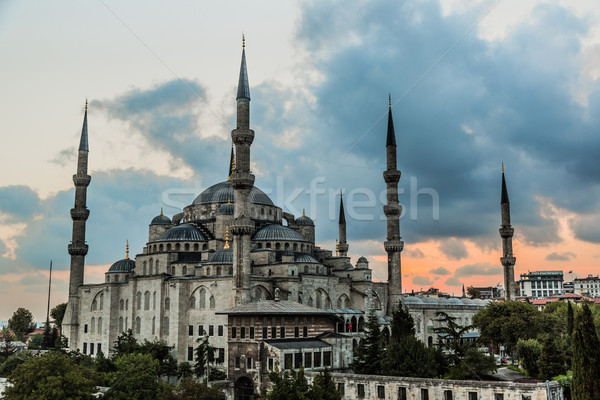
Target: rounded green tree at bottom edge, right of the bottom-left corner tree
136,378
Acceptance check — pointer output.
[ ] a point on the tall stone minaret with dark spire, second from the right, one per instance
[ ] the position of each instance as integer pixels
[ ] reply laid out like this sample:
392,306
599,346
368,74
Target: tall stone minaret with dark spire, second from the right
392,210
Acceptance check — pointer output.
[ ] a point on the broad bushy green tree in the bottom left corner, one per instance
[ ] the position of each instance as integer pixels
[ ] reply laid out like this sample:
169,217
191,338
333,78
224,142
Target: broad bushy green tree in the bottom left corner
48,377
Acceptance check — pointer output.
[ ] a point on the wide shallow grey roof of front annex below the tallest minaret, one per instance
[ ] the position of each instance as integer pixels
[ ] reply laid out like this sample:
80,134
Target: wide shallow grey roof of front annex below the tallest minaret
273,307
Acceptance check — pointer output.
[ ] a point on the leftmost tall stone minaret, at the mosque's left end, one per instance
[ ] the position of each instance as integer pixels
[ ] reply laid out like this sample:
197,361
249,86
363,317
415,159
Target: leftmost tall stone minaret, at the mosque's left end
78,249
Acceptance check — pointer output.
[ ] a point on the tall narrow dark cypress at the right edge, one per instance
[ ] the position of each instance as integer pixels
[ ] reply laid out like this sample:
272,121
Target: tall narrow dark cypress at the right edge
586,357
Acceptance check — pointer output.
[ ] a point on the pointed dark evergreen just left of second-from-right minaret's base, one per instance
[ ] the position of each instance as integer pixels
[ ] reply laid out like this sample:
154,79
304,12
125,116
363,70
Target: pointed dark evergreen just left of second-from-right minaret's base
369,353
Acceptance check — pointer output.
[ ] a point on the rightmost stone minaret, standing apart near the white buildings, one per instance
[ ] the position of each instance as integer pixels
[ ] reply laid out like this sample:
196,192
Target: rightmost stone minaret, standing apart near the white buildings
508,260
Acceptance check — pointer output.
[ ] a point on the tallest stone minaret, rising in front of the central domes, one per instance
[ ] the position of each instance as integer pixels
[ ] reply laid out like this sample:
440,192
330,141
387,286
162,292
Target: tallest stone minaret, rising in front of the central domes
242,227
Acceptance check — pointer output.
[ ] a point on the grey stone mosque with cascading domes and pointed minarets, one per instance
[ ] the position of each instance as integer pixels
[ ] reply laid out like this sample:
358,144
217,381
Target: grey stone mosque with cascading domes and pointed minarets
235,267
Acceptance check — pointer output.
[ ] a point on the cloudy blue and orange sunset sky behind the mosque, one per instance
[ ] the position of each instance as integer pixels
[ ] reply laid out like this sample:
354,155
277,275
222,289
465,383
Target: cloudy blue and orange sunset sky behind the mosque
473,84
